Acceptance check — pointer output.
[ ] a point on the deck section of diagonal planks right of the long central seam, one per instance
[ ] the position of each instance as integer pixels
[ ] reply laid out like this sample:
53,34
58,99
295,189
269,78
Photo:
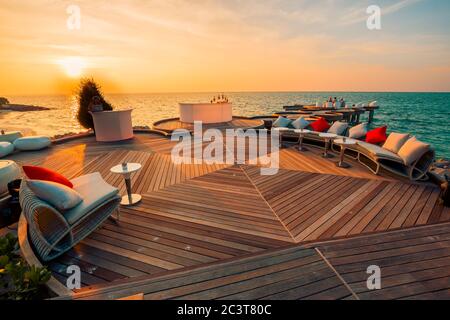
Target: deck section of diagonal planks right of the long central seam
317,206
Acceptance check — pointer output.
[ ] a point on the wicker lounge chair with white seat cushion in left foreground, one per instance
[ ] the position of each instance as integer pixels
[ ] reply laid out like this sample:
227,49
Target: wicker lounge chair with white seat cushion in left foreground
51,232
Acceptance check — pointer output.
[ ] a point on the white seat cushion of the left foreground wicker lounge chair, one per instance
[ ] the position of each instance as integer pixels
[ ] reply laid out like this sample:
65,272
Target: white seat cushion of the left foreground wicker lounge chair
94,191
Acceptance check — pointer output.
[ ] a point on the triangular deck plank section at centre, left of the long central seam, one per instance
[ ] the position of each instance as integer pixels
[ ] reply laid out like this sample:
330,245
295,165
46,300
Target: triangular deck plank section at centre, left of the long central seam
225,199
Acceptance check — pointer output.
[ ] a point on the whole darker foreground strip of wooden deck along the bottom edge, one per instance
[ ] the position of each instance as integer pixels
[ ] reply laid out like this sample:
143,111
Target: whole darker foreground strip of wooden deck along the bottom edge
413,264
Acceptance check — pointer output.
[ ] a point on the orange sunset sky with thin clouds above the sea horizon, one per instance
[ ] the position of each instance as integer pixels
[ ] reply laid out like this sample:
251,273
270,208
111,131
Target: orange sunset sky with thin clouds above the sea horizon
140,46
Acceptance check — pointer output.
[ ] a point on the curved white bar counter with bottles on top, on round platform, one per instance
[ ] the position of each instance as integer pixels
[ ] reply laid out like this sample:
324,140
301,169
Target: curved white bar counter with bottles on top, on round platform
206,112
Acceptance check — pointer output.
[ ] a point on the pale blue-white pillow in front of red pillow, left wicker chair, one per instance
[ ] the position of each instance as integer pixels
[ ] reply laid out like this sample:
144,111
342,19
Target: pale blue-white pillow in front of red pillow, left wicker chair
58,195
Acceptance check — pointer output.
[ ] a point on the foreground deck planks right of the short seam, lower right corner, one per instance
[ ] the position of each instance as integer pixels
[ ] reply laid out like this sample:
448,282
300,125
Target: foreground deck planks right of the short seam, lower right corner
415,263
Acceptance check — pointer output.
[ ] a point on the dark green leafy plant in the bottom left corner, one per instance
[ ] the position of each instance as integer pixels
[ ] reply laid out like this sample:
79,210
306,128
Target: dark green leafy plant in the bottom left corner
18,280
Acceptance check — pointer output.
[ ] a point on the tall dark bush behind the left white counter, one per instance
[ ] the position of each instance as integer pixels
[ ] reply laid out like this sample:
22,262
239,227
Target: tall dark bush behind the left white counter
88,89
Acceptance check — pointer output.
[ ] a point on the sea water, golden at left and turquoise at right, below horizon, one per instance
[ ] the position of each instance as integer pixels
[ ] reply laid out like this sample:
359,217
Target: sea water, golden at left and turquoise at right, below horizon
425,115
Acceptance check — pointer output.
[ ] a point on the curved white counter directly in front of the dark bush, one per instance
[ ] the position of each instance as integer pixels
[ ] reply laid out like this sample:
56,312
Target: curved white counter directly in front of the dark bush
113,125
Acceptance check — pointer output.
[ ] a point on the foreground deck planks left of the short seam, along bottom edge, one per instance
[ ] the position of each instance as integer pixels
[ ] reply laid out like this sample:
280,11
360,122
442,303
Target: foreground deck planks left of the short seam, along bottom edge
294,272
